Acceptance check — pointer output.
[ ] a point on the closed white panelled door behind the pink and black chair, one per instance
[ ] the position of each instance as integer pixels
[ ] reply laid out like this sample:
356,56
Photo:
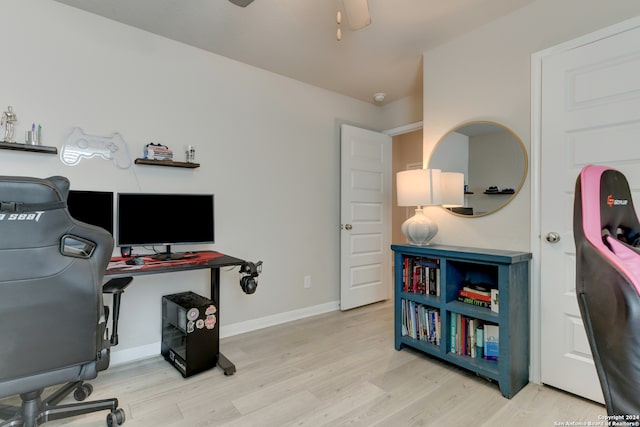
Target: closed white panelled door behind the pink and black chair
590,114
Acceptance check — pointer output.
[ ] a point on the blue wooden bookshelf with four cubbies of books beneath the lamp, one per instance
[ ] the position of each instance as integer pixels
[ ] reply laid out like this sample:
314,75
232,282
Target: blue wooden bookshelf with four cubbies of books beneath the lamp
506,271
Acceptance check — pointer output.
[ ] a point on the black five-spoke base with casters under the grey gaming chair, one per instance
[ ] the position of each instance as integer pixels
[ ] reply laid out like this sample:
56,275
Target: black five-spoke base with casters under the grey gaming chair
35,410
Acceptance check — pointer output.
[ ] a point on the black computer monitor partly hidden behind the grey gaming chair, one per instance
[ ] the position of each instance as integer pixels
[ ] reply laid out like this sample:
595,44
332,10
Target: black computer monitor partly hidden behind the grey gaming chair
92,207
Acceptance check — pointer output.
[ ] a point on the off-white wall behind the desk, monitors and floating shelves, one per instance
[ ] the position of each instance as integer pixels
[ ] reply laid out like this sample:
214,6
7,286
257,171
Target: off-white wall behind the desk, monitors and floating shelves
268,146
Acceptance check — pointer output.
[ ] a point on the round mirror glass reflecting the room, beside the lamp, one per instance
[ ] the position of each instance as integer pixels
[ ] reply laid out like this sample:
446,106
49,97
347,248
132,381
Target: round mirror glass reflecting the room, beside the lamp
492,159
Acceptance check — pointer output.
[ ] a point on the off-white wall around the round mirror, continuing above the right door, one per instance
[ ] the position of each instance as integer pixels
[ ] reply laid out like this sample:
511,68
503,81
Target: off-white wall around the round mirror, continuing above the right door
485,75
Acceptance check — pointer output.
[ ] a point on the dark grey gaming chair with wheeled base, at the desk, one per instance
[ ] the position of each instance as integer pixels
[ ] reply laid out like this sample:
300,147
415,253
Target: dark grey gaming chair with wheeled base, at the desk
52,323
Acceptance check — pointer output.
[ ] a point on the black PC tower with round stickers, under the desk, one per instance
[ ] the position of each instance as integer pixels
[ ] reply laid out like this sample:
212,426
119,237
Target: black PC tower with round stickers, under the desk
189,332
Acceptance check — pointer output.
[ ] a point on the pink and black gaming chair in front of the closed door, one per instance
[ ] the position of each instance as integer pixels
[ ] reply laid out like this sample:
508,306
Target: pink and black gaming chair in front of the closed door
606,232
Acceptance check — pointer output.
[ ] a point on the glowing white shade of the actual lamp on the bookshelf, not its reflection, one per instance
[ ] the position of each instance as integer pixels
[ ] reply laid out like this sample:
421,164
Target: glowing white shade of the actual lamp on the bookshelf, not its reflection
419,187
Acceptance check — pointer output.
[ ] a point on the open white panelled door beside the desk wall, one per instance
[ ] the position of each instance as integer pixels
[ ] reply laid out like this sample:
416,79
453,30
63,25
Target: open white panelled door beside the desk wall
365,217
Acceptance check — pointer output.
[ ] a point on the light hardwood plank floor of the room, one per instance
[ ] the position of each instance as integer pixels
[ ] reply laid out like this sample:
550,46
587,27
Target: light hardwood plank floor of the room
336,369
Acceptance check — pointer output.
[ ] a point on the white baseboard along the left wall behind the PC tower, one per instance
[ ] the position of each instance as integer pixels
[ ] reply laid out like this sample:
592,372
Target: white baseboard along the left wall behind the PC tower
119,357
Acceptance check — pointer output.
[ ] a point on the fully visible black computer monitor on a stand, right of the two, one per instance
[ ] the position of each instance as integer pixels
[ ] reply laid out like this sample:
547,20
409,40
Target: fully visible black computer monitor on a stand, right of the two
156,219
